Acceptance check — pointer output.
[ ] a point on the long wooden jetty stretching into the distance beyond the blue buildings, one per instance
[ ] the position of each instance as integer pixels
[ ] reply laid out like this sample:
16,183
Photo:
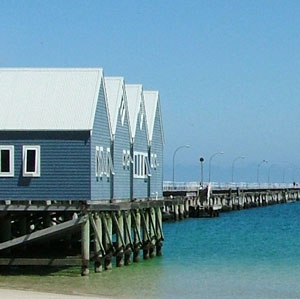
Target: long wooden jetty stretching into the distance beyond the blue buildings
209,203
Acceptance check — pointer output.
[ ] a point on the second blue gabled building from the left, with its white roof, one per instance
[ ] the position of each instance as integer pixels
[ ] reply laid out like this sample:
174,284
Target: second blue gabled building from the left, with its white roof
121,137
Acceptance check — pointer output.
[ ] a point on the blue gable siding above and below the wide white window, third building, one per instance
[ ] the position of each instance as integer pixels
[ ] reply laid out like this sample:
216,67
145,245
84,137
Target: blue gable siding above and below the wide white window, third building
140,185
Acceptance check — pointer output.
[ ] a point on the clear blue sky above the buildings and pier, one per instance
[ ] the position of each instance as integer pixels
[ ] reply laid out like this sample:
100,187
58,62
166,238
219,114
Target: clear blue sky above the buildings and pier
228,71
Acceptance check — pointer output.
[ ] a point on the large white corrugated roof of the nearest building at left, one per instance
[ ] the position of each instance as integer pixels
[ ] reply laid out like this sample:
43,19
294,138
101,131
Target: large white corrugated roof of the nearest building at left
48,99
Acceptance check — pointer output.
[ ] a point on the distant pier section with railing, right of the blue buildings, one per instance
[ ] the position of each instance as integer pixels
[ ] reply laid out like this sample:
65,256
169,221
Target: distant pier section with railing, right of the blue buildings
212,198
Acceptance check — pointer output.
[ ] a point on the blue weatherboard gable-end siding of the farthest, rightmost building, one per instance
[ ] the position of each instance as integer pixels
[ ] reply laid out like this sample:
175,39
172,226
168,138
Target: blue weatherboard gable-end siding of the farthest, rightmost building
156,180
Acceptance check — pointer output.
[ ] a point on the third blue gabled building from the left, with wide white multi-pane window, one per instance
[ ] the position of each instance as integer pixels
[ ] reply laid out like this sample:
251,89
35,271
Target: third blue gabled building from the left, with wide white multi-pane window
141,171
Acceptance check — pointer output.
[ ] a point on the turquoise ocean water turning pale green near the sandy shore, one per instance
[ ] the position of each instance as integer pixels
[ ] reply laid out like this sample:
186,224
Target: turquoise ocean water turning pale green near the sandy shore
252,253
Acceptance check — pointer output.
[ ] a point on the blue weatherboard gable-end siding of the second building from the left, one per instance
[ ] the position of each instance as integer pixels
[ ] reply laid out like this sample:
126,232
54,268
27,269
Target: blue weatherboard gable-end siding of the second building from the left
122,173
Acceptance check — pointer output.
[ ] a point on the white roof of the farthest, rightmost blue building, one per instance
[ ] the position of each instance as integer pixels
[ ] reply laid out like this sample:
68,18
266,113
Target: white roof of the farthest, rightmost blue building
151,100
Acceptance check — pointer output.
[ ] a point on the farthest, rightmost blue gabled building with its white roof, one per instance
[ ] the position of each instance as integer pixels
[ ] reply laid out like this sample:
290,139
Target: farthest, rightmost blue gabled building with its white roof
156,142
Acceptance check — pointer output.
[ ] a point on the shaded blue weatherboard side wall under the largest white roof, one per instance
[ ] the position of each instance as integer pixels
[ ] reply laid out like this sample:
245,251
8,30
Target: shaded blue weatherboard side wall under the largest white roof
65,166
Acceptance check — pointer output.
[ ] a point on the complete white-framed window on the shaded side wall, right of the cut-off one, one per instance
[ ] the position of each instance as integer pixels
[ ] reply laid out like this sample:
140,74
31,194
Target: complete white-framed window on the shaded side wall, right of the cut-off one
31,160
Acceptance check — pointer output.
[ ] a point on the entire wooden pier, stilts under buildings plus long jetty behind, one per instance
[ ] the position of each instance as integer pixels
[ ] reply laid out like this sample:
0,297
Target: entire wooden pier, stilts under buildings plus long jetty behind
58,233
